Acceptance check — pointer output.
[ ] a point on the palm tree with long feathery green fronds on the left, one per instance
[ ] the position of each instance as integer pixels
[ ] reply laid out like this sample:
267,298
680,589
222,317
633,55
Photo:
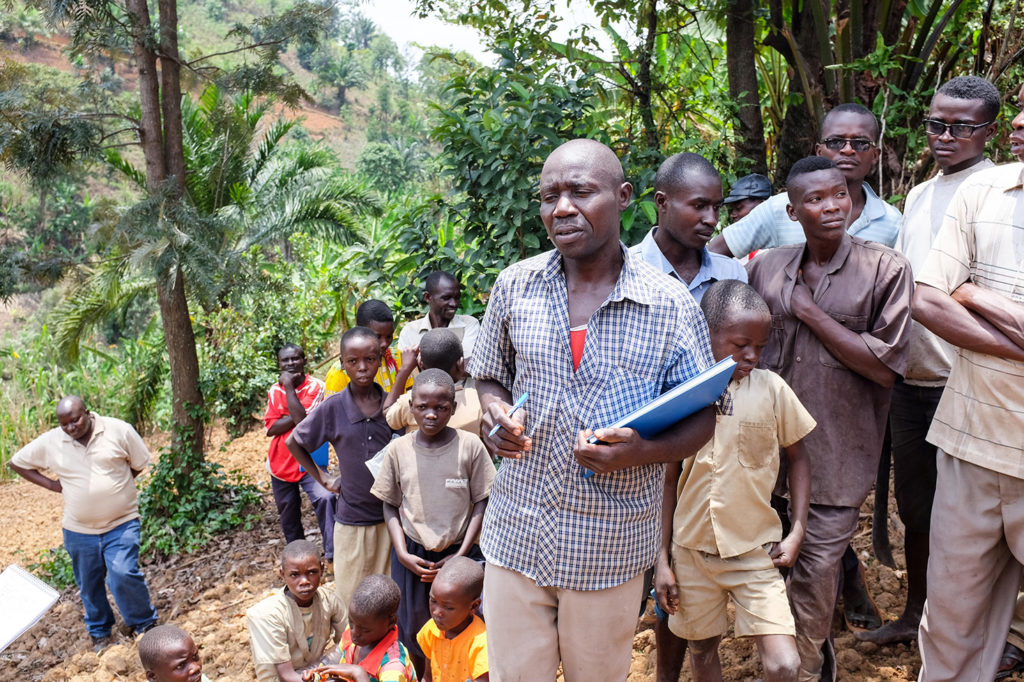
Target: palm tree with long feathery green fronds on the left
244,188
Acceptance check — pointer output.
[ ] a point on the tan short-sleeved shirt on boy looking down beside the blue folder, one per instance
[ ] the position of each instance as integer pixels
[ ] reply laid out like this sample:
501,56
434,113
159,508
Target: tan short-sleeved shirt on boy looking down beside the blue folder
724,497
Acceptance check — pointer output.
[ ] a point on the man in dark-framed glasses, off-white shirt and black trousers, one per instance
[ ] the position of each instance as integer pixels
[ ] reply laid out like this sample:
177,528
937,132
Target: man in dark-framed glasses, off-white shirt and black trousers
961,121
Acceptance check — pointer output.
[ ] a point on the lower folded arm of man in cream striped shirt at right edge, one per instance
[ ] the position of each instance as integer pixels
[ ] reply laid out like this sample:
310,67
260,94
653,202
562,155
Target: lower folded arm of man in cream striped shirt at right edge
943,316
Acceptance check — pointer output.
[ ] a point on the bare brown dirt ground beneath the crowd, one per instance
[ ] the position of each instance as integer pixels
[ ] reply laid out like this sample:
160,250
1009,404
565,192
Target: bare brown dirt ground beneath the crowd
208,593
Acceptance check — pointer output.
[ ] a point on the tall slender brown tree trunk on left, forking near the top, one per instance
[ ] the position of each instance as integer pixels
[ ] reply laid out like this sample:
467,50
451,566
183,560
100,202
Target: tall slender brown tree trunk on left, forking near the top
160,135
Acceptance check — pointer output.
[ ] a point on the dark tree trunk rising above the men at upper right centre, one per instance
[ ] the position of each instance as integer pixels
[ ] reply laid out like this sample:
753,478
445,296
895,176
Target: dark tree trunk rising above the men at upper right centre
744,84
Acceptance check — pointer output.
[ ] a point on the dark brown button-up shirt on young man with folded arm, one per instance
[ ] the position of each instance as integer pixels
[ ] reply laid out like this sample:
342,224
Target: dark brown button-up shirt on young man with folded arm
867,288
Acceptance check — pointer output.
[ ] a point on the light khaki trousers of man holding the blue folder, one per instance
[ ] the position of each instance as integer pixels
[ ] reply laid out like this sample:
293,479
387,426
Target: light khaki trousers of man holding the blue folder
531,629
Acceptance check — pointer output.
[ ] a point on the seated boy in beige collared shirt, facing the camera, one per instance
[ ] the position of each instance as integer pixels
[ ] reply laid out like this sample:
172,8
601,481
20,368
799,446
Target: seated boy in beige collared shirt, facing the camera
297,627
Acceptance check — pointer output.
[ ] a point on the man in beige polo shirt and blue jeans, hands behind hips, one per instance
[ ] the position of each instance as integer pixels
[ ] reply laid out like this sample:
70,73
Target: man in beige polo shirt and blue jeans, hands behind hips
97,460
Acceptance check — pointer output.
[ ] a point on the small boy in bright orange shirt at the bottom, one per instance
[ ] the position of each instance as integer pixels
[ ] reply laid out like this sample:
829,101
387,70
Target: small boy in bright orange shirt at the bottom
455,640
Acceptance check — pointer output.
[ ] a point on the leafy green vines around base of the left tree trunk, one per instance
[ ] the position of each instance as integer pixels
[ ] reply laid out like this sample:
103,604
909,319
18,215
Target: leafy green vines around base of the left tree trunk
188,501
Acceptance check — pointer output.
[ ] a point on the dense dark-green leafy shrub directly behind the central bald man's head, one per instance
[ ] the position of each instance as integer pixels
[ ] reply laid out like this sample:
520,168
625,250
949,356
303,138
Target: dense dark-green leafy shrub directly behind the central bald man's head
502,125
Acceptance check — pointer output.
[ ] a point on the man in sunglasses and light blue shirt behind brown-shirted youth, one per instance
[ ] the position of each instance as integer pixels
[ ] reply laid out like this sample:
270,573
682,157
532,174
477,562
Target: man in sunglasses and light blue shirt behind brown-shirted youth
849,137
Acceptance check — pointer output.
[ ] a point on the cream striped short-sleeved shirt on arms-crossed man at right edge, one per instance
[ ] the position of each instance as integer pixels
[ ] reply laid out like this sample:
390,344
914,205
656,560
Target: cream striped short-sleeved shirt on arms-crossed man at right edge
980,418
